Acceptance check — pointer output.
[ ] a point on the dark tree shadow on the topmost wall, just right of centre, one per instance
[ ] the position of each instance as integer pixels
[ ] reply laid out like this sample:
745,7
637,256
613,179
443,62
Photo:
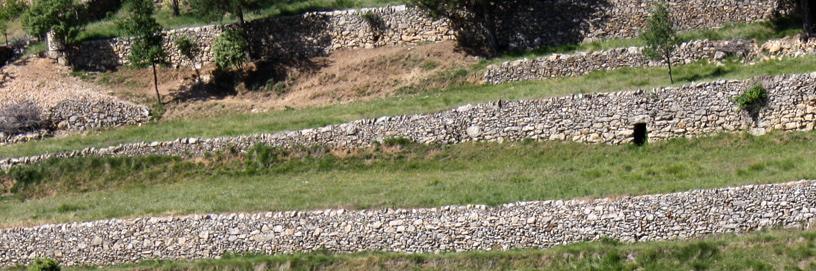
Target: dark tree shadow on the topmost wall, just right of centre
528,24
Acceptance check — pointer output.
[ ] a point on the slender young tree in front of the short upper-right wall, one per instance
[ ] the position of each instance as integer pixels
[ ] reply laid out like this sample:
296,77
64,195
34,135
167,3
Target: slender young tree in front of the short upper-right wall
660,36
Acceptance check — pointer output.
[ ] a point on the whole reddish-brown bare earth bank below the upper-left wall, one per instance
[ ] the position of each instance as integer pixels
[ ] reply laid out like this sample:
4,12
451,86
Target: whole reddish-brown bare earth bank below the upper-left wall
344,76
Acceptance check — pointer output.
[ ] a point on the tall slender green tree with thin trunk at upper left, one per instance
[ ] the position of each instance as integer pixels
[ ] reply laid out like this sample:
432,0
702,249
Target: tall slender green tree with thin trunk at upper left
146,37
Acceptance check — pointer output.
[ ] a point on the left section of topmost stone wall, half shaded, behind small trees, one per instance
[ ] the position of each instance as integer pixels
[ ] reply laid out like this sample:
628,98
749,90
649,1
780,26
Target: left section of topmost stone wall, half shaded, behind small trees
290,37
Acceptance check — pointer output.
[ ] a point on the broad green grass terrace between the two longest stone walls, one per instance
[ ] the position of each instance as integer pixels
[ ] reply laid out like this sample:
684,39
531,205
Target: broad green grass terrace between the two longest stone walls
408,176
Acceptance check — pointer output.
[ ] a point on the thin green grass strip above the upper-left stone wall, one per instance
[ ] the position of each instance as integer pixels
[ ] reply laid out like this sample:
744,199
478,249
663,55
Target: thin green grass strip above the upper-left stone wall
107,28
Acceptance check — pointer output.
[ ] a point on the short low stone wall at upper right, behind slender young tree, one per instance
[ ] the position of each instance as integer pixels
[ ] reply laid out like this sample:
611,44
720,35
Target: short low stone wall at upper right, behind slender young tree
574,64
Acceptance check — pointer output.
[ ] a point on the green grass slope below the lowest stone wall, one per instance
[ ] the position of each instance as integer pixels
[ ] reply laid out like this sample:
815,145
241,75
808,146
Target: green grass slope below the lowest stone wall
774,250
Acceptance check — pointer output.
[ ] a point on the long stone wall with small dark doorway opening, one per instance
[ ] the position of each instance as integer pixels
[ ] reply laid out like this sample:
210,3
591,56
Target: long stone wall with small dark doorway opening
687,111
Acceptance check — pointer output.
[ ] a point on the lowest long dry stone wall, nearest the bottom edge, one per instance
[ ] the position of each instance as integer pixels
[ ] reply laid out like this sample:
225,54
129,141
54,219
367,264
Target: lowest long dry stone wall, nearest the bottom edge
458,228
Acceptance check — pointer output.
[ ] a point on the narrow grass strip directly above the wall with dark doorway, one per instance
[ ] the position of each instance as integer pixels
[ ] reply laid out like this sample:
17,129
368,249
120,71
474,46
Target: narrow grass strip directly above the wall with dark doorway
240,124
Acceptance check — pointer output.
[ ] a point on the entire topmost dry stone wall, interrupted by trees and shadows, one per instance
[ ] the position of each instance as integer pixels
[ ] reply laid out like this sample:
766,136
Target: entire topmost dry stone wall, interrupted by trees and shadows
522,26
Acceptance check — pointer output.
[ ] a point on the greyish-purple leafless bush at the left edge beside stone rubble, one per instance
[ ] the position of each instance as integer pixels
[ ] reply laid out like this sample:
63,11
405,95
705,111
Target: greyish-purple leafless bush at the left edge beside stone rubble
20,117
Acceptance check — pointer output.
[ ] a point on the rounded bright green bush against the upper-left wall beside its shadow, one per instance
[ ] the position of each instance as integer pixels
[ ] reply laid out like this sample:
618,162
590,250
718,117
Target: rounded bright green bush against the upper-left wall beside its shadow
229,49
